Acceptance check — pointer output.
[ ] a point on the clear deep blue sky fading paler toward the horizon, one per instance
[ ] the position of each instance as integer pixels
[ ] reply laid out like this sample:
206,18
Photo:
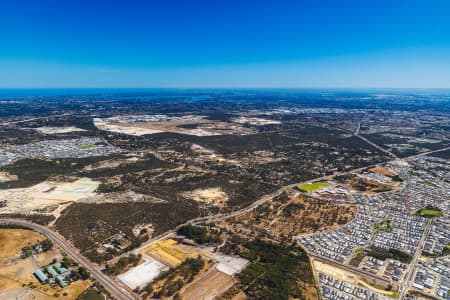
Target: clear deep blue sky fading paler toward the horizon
227,43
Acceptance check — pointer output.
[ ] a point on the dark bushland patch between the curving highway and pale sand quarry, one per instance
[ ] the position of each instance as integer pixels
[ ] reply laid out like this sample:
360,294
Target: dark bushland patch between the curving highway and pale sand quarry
91,225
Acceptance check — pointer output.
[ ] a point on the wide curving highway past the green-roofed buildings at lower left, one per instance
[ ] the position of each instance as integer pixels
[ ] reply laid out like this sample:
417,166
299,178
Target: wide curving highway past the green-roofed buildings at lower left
105,281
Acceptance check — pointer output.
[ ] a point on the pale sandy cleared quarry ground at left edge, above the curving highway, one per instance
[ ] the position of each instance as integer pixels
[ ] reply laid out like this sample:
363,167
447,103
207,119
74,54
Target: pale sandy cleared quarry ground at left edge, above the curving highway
45,194
